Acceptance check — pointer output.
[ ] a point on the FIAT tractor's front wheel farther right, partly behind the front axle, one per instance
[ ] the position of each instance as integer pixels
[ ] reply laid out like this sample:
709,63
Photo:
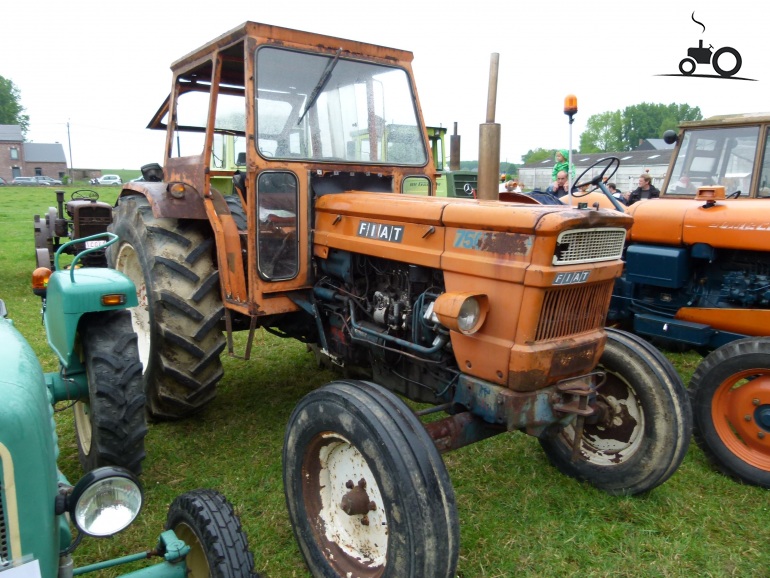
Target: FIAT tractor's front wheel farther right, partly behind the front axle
644,435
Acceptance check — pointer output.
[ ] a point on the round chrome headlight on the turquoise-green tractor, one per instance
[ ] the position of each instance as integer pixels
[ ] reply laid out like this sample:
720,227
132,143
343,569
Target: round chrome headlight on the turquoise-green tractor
105,501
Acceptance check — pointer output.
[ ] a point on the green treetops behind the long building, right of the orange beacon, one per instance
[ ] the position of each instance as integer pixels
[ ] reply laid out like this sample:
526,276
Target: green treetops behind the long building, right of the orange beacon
624,130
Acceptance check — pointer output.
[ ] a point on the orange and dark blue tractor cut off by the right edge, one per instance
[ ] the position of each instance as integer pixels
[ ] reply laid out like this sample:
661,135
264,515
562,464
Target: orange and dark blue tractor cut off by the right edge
698,274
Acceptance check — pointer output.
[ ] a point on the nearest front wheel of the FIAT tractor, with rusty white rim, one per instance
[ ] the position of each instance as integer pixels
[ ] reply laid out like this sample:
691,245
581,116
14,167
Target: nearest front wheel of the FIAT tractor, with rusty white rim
402,521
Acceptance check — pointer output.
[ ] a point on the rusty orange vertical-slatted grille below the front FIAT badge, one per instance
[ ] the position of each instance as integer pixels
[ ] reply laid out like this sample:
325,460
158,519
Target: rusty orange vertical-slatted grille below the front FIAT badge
573,309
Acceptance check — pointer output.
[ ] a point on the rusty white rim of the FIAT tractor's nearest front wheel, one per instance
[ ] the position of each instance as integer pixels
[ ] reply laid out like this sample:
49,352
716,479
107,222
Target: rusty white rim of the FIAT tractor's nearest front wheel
341,463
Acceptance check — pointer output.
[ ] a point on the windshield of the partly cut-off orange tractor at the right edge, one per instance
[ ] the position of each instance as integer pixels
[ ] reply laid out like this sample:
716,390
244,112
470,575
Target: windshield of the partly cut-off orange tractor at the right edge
719,156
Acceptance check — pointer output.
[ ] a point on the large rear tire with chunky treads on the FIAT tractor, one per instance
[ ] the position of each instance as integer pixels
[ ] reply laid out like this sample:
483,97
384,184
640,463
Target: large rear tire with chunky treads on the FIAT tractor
180,308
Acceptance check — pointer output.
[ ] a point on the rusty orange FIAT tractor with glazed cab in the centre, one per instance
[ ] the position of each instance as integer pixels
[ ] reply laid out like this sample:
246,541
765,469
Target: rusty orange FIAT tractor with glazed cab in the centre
297,195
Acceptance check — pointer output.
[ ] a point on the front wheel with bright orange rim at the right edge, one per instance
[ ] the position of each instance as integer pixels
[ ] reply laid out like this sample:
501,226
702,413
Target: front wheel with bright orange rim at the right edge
730,394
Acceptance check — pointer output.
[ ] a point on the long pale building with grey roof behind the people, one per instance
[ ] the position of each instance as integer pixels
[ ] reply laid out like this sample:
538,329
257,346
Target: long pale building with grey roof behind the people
632,164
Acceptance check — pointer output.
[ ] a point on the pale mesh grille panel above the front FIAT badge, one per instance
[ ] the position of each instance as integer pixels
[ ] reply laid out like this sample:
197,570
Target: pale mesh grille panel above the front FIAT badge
589,245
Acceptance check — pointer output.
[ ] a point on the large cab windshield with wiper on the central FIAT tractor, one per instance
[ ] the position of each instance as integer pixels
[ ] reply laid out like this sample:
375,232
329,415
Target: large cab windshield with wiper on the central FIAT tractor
325,107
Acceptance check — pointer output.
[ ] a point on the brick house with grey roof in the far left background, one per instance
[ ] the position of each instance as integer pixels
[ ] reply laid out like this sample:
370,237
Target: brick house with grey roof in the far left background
25,159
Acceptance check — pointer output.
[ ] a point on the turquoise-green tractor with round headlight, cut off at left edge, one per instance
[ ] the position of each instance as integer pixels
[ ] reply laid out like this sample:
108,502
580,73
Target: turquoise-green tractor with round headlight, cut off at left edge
43,517
